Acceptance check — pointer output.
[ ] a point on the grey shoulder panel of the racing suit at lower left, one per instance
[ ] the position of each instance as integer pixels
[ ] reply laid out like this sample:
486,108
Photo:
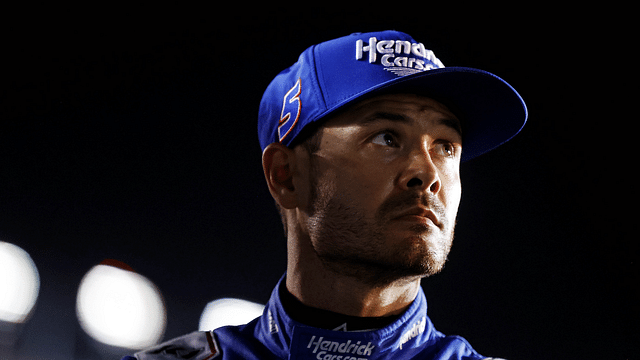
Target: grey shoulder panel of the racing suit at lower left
199,345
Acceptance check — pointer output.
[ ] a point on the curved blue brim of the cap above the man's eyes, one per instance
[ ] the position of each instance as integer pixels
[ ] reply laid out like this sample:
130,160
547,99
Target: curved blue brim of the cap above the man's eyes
490,110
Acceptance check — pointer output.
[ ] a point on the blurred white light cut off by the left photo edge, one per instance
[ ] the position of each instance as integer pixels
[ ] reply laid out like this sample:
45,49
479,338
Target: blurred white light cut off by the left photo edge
19,283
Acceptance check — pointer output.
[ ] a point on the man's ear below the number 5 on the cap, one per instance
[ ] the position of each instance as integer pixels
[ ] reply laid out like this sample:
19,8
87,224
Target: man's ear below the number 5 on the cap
278,162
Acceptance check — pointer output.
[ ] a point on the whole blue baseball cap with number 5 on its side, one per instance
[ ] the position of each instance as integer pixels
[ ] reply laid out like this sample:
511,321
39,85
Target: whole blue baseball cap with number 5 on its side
339,72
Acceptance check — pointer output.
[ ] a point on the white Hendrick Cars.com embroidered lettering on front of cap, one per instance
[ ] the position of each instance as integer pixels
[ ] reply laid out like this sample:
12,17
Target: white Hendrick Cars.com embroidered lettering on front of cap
400,57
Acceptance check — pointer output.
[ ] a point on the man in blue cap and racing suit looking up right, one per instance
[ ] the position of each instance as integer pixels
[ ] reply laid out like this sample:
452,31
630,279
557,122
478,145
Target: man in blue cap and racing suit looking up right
362,142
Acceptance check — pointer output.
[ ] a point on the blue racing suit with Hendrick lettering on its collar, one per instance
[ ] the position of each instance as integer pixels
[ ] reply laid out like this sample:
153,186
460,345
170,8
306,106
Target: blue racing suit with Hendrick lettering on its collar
274,335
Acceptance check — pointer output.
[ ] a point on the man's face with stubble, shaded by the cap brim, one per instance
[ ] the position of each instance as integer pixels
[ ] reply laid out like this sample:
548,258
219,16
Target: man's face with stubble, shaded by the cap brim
384,188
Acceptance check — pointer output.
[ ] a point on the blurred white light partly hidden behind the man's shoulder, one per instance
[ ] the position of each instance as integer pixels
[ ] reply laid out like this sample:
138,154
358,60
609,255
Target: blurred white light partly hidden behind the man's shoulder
228,311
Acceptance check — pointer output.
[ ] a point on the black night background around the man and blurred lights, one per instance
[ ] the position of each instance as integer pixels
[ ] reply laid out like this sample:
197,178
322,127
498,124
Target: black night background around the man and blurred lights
132,136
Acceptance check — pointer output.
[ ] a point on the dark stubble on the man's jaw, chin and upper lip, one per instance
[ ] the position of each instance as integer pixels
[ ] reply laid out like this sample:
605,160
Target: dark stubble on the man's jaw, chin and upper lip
352,244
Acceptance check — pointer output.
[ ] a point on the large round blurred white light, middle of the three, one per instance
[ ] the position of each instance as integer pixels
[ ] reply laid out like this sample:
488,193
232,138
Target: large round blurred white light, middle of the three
119,307
